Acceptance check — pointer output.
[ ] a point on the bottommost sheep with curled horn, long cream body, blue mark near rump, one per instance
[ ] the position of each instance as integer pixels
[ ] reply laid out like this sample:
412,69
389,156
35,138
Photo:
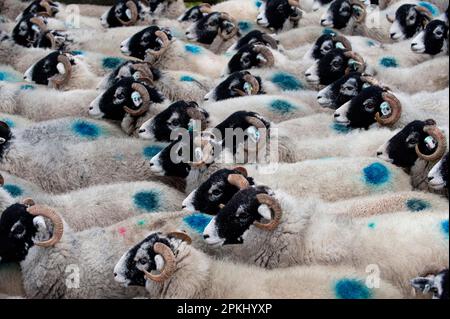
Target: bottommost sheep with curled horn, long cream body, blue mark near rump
176,260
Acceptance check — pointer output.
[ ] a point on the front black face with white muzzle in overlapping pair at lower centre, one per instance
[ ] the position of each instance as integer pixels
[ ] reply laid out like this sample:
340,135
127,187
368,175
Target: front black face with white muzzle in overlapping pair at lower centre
231,223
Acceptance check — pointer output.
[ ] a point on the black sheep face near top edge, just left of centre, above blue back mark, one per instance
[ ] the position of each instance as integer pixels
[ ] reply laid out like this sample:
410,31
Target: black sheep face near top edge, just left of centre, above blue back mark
209,27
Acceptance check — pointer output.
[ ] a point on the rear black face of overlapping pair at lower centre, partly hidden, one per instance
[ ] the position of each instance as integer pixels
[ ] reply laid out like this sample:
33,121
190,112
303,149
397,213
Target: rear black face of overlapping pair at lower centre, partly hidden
213,193
